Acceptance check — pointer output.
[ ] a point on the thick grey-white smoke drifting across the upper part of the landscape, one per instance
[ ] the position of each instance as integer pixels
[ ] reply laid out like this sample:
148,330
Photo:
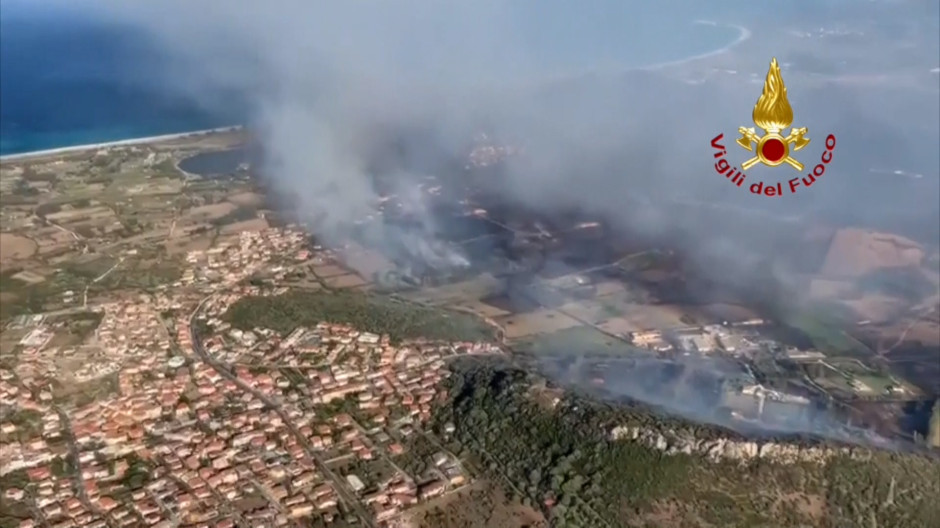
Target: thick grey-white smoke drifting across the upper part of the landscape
336,86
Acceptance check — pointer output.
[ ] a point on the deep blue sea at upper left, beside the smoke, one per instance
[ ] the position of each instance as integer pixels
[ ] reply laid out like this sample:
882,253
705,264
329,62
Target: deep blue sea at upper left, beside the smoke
65,83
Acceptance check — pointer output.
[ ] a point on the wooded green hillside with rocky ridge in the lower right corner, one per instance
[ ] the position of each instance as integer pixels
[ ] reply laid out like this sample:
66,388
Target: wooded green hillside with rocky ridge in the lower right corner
588,464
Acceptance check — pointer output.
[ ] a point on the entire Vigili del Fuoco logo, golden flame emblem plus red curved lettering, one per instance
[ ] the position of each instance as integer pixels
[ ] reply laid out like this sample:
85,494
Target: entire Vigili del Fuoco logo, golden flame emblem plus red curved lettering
773,115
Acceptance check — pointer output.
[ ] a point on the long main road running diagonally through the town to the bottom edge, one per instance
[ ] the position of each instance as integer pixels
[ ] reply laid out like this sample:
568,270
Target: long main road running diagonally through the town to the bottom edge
338,482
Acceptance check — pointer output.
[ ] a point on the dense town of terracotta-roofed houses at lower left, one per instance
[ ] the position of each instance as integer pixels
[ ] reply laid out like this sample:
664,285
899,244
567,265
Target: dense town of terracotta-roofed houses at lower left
246,428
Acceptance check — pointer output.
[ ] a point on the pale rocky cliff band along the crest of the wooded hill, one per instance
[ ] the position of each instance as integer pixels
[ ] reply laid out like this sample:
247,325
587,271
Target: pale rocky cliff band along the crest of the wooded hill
672,442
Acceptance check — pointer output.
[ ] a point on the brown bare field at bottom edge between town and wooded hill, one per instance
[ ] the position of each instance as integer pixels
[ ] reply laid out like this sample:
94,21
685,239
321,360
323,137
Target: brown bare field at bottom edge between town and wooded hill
478,505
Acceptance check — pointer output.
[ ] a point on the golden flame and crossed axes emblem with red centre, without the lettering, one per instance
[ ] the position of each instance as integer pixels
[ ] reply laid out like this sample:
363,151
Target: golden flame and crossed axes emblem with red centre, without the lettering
773,114
